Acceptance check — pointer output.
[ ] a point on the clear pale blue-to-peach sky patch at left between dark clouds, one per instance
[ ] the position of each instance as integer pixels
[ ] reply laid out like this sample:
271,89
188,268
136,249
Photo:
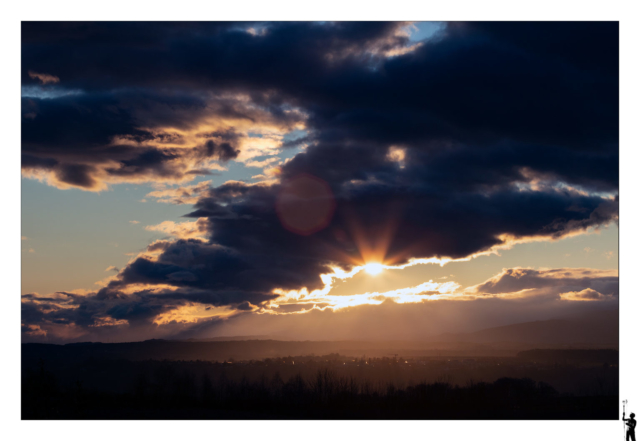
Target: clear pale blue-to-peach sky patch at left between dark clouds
73,235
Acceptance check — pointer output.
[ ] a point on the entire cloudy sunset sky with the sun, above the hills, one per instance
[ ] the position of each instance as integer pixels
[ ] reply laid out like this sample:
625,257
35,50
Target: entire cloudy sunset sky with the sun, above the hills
315,180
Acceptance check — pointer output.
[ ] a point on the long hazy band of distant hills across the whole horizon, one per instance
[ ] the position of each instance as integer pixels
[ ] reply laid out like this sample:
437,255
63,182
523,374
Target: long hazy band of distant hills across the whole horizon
592,331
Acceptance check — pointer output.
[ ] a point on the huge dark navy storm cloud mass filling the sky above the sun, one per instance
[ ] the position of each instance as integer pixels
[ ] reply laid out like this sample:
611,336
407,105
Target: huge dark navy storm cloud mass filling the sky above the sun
501,130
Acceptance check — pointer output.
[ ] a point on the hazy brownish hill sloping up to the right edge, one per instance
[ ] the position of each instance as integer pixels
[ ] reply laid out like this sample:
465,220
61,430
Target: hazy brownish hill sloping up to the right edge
594,329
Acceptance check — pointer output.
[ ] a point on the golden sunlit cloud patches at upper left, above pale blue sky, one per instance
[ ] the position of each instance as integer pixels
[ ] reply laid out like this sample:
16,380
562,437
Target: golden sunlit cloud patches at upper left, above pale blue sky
250,134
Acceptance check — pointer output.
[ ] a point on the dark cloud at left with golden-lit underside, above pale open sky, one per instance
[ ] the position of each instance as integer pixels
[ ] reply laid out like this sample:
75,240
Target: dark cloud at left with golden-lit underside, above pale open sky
87,139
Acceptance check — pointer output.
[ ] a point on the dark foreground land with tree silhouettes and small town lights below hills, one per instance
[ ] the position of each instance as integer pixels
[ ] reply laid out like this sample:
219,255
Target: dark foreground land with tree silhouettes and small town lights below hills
532,385
